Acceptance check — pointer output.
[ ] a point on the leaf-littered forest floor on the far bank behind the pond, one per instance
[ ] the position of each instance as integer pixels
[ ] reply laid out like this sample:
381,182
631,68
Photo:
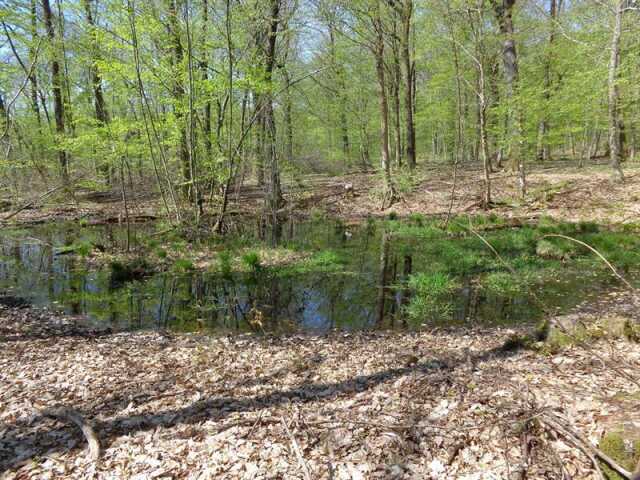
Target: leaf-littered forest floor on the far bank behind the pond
562,191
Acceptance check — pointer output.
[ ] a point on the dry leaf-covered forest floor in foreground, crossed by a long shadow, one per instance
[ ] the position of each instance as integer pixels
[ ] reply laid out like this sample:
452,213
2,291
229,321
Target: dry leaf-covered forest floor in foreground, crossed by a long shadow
391,405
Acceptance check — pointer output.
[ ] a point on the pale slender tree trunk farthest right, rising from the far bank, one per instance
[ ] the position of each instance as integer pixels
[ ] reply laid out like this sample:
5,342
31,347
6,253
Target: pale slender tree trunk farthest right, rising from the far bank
615,146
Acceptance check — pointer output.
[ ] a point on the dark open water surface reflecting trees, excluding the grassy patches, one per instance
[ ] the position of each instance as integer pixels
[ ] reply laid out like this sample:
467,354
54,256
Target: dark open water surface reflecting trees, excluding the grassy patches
371,291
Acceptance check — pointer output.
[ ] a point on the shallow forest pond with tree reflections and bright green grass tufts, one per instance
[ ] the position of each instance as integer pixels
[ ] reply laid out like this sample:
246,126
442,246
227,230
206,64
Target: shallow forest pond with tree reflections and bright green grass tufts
380,274
